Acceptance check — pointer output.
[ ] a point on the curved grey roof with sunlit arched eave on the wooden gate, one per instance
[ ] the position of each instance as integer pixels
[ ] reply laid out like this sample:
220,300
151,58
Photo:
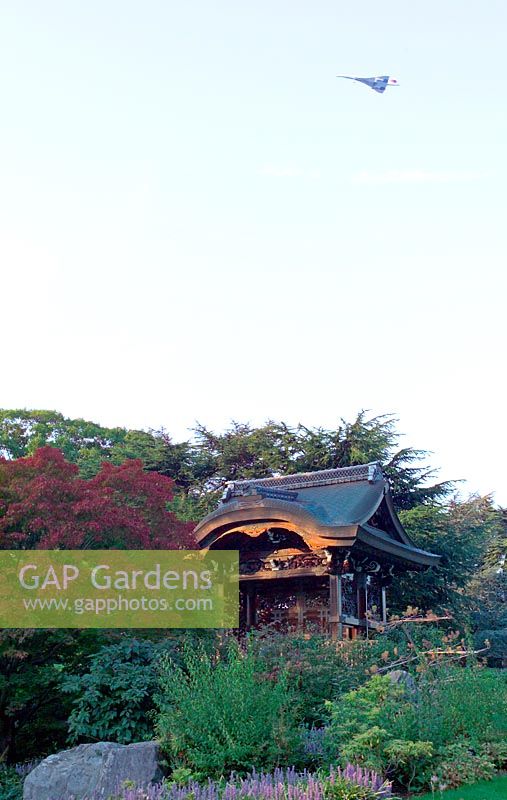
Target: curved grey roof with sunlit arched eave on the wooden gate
339,508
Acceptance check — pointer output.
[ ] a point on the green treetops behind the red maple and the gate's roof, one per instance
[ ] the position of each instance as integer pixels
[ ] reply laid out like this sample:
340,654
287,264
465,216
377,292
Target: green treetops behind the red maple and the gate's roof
200,467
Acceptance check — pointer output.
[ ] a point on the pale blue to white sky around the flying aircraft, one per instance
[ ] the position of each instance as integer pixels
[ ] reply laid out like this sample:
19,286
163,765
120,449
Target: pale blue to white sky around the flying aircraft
198,221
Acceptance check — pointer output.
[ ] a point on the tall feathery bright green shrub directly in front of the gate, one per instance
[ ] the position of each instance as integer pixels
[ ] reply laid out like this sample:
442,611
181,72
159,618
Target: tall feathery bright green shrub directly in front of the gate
216,716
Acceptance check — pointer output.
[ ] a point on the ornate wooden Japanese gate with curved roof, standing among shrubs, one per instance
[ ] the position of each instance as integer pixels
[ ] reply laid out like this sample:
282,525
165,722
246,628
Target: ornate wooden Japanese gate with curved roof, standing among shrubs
318,550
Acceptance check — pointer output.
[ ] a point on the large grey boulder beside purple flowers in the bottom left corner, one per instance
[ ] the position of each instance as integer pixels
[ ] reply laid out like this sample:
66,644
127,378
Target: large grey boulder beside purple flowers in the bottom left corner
92,771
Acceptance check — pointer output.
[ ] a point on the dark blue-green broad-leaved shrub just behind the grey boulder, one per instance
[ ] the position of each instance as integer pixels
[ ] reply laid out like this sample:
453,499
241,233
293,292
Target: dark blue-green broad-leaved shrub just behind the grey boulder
114,699
